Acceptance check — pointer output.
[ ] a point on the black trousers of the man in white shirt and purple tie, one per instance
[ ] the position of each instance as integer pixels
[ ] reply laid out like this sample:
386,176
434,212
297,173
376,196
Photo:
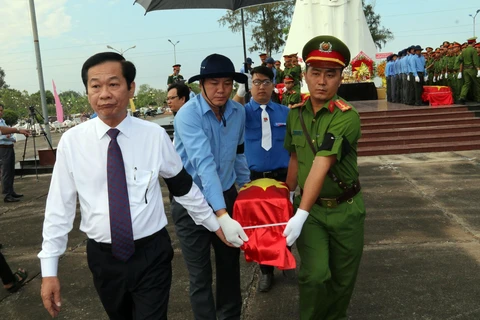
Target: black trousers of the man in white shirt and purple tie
138,289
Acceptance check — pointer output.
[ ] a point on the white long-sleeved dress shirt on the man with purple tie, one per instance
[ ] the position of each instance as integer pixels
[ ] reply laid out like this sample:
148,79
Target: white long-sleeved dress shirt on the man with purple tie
81,168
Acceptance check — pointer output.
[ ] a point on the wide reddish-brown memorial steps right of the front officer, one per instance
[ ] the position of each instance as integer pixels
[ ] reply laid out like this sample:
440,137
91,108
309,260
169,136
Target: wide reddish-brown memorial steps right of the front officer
407,129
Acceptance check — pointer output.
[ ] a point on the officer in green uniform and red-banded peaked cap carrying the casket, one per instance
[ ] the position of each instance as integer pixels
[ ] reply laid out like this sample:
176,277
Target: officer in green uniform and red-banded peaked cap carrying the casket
329,220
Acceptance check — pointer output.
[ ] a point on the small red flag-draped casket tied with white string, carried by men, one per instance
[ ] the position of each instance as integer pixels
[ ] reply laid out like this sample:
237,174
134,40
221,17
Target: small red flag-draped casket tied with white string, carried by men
259,205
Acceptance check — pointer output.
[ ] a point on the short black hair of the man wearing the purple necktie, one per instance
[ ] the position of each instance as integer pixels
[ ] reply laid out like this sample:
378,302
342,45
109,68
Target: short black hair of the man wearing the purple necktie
128,69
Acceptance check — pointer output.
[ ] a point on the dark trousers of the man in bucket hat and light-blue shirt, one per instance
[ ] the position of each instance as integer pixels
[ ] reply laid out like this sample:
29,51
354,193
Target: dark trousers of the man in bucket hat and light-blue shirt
195,242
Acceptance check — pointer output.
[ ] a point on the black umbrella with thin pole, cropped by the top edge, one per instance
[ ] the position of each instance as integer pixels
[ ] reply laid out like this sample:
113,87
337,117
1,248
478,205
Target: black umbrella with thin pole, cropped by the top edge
152,5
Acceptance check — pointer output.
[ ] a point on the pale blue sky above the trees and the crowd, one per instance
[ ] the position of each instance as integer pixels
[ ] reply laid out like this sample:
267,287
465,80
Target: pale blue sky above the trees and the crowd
70,31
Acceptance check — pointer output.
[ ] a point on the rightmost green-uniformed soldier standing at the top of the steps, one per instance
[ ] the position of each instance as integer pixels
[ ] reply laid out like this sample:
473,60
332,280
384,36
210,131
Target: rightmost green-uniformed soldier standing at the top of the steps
470,71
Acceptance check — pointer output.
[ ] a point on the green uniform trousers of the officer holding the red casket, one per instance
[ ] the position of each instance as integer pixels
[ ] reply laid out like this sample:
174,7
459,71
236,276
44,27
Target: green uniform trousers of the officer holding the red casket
330,248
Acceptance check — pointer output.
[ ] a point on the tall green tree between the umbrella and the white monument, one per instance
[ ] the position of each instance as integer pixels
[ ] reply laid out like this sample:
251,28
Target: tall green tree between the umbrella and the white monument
269,24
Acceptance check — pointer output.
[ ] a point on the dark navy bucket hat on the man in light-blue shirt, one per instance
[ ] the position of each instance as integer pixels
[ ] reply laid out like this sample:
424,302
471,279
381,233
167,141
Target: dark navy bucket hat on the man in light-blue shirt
218,66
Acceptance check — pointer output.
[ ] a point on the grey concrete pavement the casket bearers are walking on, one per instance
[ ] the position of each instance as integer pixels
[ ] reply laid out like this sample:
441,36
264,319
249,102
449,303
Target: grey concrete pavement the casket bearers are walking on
421,258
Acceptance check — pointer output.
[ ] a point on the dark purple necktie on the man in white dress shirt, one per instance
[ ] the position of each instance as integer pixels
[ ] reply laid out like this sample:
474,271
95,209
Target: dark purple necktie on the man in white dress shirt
123,246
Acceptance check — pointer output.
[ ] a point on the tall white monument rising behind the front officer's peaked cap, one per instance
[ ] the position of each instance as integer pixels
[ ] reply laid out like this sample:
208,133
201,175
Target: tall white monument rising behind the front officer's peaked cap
343,19
